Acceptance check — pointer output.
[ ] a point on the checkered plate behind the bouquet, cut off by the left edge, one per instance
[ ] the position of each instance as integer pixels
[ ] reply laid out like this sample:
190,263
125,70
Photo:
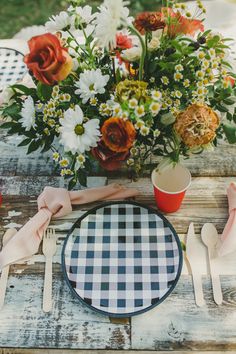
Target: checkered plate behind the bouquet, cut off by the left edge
12,67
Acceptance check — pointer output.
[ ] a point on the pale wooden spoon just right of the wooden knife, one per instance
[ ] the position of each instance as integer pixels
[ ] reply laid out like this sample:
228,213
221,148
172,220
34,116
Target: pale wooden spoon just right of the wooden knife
210,239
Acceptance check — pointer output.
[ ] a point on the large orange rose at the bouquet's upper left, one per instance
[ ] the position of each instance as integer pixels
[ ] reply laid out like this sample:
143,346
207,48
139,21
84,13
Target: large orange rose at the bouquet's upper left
48,60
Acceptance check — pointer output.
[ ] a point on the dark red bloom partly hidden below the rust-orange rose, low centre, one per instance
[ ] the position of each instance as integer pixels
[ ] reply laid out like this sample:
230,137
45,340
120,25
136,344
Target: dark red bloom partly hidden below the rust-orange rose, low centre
107,158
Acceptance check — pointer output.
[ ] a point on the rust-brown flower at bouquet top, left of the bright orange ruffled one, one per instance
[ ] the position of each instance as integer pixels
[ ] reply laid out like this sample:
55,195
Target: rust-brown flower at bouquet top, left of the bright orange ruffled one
149,21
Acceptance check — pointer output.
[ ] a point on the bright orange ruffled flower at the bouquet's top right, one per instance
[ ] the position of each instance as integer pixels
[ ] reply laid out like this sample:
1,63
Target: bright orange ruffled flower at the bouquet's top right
177,24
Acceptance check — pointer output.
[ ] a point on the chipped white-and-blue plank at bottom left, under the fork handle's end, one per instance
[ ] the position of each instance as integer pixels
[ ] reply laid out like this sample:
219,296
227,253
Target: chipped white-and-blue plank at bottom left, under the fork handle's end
70,325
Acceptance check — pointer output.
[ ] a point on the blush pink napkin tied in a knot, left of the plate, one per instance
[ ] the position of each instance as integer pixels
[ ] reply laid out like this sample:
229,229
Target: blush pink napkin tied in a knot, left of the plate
56,202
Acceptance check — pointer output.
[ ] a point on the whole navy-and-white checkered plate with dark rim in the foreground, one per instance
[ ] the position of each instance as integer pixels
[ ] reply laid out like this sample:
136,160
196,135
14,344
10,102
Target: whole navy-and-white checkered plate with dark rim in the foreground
122,258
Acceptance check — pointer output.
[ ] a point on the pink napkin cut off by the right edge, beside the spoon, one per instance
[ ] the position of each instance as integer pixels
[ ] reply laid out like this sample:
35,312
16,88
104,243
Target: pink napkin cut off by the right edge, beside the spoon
228,237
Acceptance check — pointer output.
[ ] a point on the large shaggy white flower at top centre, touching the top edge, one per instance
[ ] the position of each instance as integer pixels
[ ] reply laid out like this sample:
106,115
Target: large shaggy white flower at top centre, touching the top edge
111,16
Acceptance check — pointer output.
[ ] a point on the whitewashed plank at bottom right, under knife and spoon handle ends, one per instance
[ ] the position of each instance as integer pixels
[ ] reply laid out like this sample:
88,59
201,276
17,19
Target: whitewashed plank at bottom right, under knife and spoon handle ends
178,324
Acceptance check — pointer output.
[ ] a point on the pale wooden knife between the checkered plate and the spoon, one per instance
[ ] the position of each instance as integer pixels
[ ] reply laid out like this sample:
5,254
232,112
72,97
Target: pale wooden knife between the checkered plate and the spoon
192,257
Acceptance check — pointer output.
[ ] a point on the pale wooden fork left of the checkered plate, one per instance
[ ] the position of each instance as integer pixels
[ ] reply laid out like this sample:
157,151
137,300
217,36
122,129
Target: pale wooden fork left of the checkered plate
49,250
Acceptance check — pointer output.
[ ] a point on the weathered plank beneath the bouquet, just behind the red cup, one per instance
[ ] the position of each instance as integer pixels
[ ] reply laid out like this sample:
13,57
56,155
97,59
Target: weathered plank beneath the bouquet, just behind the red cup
220,162
